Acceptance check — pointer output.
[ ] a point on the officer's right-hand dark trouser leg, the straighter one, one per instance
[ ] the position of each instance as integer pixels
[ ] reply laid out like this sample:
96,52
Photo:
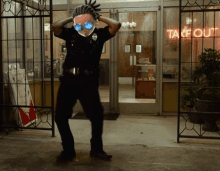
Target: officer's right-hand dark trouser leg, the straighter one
90,101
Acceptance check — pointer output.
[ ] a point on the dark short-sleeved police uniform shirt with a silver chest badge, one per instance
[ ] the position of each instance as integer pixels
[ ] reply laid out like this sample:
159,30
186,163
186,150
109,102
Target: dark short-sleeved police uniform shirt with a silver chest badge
84,52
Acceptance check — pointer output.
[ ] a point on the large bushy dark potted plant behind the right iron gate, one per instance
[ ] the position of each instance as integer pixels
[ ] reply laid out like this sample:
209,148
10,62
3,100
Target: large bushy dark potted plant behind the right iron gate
204,92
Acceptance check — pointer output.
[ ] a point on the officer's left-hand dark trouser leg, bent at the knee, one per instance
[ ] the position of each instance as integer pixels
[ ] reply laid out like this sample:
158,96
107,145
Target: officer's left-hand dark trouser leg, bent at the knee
66,99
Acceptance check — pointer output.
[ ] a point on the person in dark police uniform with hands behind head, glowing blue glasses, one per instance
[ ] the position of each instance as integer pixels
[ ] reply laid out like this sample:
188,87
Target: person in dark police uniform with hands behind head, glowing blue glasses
80,78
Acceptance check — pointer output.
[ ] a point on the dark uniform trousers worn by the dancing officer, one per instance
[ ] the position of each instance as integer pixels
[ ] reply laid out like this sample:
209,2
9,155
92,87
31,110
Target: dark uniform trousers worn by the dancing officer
84,88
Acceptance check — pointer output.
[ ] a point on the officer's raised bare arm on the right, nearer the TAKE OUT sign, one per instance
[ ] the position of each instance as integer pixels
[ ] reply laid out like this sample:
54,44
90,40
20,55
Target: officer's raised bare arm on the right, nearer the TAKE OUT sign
114,25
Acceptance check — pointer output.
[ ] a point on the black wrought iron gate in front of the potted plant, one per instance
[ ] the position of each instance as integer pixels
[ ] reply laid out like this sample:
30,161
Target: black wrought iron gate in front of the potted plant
199,95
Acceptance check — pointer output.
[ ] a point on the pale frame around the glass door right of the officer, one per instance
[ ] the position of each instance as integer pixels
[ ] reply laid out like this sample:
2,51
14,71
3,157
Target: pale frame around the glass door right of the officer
139,108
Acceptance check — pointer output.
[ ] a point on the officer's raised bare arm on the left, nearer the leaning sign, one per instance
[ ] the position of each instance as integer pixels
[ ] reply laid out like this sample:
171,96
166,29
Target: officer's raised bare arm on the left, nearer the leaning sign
57,26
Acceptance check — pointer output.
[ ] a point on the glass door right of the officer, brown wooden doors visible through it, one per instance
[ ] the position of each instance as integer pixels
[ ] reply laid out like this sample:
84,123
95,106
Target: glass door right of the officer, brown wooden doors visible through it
138,45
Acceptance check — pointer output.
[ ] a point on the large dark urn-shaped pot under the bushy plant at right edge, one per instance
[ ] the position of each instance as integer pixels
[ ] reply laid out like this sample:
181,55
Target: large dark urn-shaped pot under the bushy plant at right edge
210,119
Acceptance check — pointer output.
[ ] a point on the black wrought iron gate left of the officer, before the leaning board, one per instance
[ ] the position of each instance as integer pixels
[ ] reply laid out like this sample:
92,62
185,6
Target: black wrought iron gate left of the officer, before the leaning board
26,93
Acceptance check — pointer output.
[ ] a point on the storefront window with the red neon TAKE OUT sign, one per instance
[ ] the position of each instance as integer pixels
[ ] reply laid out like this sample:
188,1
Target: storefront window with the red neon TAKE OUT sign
194,40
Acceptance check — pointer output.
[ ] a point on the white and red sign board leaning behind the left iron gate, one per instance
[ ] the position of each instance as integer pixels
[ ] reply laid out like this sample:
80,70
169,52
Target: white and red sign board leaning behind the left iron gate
20,95
